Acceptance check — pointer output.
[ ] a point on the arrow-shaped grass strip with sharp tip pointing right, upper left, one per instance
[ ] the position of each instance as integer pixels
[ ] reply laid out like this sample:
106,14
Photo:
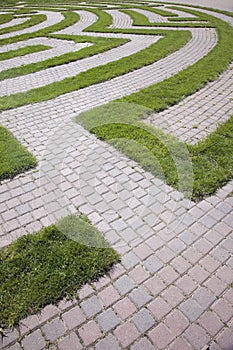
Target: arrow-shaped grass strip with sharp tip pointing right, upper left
100,45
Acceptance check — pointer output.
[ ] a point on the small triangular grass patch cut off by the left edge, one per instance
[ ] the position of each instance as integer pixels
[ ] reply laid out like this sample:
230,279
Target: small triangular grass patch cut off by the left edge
14,158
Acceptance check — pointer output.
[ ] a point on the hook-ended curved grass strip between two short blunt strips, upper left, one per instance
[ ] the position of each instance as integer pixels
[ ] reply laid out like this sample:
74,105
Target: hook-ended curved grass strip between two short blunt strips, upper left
70,18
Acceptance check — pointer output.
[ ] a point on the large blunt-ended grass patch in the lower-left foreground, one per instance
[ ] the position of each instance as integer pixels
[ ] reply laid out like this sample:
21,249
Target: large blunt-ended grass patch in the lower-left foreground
42,268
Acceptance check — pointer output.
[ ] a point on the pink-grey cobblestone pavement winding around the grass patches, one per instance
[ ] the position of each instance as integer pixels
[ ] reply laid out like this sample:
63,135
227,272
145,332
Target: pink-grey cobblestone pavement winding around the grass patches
171,290
